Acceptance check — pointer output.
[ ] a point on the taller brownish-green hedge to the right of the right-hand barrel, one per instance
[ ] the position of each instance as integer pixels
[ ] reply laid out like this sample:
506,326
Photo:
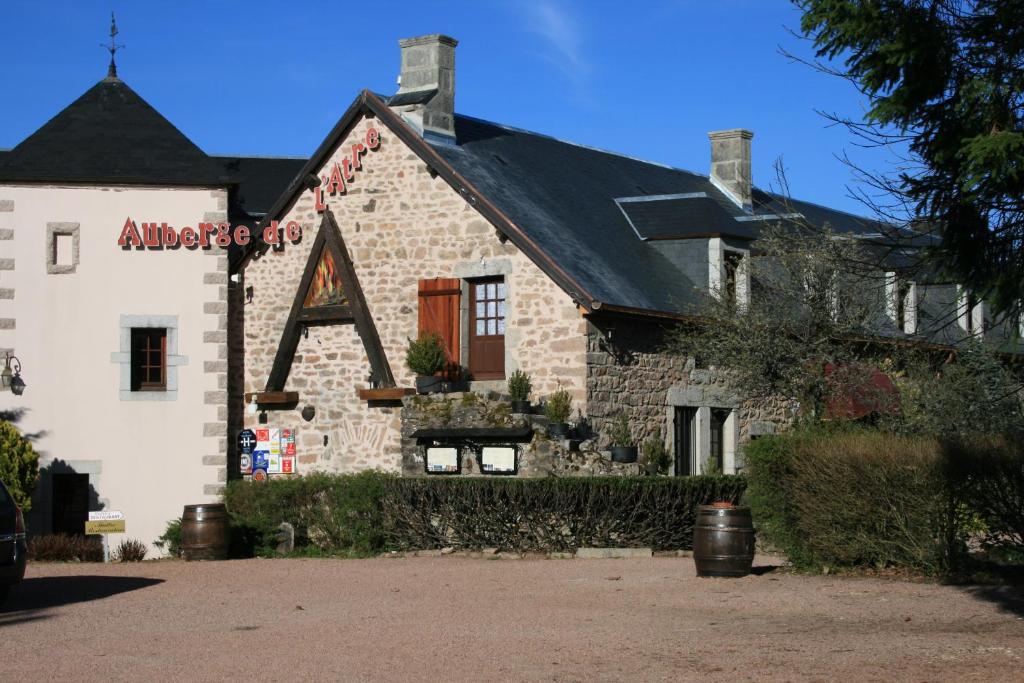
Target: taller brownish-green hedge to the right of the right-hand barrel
856,497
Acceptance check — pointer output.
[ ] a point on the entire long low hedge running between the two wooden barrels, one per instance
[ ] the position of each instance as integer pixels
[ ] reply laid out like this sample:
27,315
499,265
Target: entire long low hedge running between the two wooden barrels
371,511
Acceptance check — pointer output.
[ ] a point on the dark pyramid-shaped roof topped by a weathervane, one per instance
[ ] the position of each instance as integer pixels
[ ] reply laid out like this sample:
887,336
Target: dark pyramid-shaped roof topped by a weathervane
111,135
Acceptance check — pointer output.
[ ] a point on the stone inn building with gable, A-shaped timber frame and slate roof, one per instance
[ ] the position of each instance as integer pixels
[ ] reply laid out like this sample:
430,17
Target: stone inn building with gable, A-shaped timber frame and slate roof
524,252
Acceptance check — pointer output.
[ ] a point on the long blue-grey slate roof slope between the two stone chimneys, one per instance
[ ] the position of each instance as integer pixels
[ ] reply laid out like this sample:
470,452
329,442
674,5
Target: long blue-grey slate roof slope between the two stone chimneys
564,196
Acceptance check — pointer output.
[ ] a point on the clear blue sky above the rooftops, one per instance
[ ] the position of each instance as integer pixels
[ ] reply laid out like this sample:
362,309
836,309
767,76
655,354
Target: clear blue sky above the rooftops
648,79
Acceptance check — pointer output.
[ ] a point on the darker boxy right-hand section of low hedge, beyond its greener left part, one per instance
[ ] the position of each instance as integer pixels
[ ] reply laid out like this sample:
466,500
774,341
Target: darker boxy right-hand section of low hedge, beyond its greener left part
549,515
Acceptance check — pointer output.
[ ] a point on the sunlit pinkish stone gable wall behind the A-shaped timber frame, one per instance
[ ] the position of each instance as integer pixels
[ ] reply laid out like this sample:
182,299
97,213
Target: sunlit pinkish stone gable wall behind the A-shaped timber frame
401,224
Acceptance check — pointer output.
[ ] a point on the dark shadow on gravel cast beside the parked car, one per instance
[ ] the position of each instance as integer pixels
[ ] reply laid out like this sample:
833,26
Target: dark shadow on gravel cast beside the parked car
33,595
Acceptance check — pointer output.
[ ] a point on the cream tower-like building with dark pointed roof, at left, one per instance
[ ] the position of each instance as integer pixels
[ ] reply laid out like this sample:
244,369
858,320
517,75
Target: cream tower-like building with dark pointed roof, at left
122,350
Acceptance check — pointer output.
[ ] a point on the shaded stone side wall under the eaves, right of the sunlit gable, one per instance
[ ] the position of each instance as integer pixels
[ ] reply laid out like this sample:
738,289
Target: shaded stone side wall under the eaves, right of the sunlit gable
634,374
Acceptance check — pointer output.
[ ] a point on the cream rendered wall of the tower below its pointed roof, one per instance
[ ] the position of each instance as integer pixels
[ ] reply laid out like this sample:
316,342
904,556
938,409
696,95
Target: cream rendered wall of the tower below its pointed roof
145,458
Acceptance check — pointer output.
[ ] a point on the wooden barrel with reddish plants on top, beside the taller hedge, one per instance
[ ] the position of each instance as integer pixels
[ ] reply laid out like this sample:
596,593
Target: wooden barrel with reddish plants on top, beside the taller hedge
723,541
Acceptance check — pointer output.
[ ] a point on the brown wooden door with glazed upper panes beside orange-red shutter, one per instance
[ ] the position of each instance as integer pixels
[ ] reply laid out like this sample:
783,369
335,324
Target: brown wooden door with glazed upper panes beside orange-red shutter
487,329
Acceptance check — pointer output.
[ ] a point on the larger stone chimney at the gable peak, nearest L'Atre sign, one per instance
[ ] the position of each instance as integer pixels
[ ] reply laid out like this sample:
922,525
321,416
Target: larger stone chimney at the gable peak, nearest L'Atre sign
426,86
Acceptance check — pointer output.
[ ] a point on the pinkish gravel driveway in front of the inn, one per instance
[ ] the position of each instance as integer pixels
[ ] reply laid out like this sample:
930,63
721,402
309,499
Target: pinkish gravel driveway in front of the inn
462,619
